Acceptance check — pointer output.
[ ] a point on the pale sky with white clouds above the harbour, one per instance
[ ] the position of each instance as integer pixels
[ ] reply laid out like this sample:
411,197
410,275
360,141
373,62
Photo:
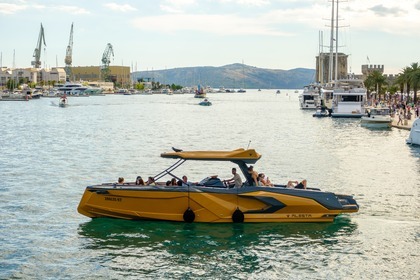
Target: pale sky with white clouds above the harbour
166,34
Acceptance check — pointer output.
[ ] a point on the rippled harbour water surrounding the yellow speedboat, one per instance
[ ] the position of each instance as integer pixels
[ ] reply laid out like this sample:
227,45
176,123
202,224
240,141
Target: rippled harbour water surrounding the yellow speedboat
50,154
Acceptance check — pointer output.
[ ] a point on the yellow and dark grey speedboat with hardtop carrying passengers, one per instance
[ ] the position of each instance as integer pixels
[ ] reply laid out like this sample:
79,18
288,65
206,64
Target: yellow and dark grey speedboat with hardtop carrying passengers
212,201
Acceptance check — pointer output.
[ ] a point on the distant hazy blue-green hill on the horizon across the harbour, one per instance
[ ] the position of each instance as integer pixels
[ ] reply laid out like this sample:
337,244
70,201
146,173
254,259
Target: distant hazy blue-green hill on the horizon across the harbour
231,76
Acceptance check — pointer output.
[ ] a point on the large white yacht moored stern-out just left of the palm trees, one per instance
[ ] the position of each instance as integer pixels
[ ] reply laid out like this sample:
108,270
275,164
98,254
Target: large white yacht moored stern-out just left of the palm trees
349,99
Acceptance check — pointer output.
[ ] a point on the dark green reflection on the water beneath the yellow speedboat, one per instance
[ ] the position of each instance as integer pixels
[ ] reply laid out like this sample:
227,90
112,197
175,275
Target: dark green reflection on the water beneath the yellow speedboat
186,238
